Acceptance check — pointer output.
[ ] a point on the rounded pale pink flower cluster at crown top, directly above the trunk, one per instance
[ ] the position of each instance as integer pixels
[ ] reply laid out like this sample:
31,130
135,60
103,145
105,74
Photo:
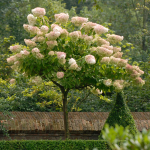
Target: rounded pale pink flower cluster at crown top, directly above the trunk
61,18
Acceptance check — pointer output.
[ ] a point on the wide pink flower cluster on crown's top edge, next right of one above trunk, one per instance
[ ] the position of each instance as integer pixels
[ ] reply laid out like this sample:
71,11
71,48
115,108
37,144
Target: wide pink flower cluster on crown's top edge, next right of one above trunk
77,21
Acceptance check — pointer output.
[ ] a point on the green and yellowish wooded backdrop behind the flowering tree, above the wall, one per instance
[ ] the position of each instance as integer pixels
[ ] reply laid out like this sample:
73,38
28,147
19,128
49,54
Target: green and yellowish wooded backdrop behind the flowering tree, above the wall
128,18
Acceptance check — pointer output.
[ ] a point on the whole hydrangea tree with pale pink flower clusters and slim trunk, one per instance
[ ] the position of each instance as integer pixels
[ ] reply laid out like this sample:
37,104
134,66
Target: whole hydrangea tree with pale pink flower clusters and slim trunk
73,54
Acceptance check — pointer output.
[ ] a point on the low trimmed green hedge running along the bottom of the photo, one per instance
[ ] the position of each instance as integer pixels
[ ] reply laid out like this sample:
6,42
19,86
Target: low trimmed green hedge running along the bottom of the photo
54,145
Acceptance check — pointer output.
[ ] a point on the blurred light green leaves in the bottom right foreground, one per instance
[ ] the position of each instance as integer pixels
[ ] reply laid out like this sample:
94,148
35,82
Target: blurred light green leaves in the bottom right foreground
113,135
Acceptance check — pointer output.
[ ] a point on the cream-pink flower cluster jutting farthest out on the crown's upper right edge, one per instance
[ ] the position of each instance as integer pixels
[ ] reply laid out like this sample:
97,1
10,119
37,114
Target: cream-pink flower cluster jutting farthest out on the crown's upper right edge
114,38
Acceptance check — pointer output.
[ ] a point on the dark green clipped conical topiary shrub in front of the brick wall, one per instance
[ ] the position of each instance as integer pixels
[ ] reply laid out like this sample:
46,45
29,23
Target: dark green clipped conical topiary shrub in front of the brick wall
121,115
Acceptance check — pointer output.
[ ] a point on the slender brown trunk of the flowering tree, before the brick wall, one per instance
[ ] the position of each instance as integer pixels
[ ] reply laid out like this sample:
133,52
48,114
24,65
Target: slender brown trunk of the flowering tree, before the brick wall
65,111
